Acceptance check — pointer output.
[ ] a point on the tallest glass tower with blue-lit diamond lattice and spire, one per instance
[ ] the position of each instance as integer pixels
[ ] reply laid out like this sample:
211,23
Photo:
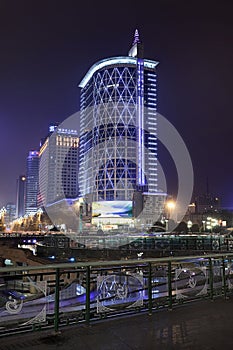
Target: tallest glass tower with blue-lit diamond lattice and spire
118,133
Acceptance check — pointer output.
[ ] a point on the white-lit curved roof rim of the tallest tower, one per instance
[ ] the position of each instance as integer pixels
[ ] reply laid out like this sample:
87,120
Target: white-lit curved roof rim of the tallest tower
119,60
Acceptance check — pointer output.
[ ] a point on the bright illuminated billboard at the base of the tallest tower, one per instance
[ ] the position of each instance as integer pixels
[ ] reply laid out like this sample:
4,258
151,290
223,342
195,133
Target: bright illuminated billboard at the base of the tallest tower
112,209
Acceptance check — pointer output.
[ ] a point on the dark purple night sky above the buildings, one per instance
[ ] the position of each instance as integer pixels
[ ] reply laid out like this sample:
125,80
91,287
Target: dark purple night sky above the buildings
48,46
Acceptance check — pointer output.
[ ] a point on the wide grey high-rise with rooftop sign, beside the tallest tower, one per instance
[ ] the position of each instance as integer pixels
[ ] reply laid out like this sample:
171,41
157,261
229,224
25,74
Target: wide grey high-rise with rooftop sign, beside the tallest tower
58,170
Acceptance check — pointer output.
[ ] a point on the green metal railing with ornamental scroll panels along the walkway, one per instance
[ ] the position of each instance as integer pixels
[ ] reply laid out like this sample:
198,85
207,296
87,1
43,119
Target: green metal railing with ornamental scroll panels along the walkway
52,296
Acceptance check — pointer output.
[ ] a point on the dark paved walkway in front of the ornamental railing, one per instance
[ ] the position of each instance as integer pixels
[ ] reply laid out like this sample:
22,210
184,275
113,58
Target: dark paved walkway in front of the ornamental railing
202,325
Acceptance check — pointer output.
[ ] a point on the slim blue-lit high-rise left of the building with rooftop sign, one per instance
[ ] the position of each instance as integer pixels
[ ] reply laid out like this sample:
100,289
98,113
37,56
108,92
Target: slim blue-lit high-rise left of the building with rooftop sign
32,182
